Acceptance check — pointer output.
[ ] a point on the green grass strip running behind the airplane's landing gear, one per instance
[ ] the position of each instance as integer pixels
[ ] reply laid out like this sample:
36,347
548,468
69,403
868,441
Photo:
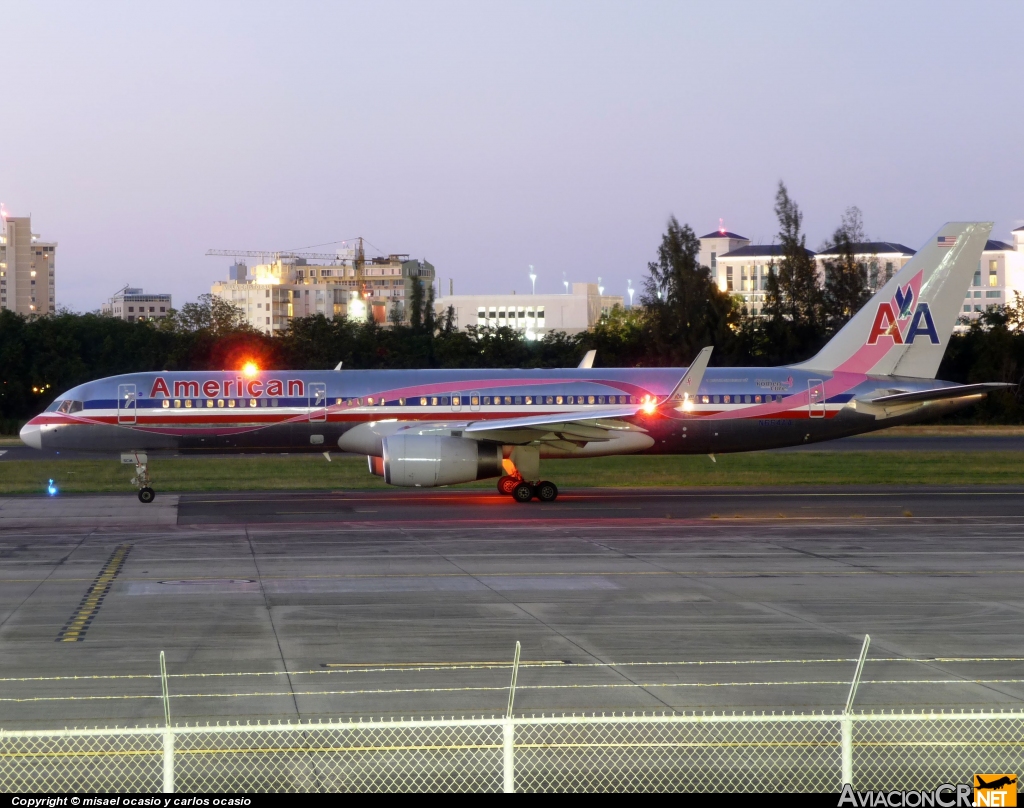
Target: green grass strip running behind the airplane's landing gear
313,472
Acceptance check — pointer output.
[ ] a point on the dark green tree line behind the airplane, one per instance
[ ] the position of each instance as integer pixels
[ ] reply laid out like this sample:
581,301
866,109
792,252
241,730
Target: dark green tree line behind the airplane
681,311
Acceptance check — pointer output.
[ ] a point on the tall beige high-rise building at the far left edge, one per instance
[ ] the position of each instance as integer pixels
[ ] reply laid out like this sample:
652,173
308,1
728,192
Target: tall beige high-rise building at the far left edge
27,283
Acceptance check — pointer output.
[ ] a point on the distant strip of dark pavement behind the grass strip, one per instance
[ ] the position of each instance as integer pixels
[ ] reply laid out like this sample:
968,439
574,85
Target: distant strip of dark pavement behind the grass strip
879,442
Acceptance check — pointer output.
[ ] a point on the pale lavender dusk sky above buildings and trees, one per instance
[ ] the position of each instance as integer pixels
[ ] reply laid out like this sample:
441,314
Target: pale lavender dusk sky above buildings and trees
489,137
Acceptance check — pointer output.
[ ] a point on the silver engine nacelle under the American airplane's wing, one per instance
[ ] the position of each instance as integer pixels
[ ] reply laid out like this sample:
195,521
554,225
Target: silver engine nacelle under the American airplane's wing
425,461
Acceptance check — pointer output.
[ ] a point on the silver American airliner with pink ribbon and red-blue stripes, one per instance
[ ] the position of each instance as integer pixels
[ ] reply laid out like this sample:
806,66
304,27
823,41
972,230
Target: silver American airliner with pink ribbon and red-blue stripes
423,429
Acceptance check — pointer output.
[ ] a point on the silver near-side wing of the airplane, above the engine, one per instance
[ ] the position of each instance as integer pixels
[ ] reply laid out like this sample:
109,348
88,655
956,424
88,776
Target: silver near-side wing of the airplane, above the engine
578,428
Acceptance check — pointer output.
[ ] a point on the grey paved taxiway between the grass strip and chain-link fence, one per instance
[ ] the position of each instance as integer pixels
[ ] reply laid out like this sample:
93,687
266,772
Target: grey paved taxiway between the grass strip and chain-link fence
285,606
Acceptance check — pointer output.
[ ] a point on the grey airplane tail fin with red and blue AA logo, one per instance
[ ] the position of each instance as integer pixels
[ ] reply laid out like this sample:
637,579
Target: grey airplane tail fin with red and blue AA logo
904,330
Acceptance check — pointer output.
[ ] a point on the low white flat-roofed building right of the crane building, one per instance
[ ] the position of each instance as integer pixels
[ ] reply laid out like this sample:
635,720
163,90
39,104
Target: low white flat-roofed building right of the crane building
533,315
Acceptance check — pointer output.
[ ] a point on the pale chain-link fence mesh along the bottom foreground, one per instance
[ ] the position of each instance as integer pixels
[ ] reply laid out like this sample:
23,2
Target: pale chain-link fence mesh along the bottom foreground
617,753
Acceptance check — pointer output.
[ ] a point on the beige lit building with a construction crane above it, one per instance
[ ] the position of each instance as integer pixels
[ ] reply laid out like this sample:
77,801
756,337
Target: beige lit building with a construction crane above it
272,294
